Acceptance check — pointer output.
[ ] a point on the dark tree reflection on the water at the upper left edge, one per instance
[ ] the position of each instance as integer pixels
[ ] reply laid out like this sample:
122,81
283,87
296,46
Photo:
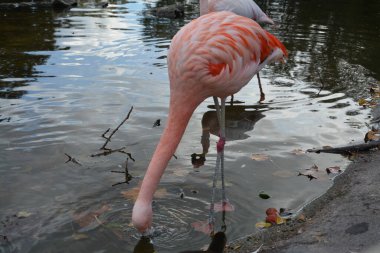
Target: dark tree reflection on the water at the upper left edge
22,30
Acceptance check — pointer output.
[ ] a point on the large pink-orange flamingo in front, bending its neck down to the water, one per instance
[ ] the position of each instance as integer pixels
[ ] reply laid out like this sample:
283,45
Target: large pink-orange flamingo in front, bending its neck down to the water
214,55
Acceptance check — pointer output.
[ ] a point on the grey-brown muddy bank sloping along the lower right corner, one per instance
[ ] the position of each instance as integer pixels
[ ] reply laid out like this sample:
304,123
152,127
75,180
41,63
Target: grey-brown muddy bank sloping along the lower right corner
345,219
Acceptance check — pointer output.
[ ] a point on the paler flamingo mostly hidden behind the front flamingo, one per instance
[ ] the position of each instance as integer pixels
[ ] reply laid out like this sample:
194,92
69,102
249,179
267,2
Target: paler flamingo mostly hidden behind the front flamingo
246,8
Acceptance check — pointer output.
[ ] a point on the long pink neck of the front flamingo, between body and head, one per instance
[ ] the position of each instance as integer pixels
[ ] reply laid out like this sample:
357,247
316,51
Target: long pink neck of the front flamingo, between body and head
179,116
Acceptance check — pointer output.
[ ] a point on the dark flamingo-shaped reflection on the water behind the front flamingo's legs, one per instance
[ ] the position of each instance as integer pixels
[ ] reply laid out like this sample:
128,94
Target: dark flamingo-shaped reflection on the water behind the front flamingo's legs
240,119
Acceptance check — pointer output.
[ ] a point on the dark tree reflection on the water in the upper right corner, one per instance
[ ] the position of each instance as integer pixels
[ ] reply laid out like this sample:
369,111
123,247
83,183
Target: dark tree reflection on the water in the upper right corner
328,40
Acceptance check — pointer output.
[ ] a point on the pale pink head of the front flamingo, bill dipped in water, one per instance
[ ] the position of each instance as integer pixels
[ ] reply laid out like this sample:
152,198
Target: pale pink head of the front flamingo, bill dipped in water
142,216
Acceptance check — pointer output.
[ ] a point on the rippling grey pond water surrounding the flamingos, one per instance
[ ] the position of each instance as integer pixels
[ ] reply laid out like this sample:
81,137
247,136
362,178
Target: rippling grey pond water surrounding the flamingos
67,77
